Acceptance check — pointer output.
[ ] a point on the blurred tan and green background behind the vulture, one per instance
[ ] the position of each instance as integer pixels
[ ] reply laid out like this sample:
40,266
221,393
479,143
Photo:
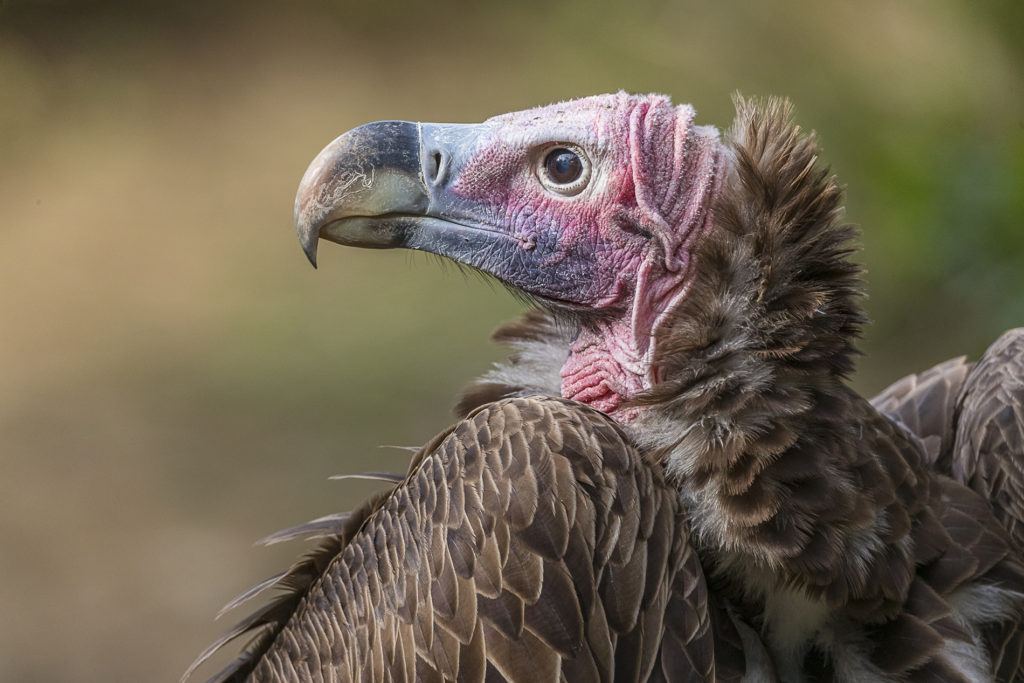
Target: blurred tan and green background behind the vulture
177,380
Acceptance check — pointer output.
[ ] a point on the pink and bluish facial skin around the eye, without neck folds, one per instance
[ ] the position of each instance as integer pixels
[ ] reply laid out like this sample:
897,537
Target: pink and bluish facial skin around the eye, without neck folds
584,248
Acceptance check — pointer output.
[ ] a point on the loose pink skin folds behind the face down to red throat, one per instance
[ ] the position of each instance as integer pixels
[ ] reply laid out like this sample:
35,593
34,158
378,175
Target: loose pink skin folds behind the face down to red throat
674,190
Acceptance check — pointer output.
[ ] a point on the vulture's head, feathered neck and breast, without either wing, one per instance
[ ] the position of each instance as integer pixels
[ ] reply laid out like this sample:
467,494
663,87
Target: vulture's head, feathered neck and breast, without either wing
699,289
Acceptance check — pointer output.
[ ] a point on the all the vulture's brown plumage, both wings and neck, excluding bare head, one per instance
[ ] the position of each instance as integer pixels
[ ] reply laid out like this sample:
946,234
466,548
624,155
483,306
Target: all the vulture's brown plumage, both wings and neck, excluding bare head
538,540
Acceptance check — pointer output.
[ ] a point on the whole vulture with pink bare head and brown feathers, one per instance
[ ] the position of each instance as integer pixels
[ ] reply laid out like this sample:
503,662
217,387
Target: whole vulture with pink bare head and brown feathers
670,478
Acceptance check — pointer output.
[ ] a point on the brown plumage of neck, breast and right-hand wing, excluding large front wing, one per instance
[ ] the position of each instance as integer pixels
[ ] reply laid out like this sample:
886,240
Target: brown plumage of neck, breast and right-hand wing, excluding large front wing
826,523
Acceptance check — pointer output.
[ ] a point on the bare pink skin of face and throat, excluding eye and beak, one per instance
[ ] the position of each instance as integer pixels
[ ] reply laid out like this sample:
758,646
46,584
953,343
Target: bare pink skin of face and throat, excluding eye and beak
623,244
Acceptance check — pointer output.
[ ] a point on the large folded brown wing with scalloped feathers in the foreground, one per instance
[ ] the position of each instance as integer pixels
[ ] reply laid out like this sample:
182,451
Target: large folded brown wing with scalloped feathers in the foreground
530,543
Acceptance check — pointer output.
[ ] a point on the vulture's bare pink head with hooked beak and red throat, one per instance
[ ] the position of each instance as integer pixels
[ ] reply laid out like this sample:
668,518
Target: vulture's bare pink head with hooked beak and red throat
593,208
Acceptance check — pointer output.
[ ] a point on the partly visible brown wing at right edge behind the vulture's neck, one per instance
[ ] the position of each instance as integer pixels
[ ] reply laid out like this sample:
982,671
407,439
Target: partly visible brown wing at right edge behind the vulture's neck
972,416
